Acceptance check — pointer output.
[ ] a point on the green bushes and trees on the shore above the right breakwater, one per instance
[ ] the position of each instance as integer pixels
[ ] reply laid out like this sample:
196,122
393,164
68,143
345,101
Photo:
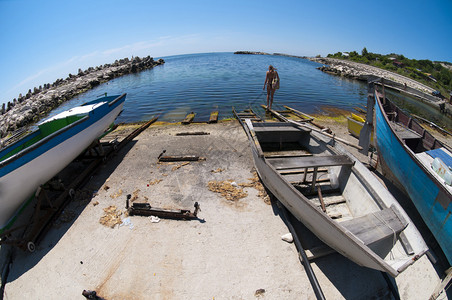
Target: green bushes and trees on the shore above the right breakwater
437,75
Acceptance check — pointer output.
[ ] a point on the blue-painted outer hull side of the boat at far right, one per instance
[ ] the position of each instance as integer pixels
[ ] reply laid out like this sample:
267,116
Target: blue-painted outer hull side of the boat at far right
424,190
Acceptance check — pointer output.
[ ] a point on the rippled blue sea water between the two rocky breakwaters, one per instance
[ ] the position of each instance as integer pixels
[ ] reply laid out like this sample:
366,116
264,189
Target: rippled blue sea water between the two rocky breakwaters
202,83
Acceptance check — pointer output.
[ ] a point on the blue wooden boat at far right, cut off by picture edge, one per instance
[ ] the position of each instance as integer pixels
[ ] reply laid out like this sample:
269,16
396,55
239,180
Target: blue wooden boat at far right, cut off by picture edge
411,154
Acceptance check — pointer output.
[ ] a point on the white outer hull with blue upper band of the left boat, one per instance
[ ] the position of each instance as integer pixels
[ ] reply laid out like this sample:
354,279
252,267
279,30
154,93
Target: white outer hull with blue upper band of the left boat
21,180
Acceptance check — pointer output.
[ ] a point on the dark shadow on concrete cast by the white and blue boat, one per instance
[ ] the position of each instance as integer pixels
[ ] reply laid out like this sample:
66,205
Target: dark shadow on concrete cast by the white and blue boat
23,260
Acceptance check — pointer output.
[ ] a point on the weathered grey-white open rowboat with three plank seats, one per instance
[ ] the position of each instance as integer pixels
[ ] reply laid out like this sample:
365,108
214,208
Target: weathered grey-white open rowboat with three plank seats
334,195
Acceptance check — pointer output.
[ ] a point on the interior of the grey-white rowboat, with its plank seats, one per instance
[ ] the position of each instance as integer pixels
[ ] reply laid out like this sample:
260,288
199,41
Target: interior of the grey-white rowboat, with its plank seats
329,181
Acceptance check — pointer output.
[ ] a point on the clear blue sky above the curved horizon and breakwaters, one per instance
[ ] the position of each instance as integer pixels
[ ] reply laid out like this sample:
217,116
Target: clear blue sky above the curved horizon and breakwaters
41,41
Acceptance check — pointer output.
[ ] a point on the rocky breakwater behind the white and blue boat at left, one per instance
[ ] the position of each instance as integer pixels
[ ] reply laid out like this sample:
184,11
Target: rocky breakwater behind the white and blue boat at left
37,103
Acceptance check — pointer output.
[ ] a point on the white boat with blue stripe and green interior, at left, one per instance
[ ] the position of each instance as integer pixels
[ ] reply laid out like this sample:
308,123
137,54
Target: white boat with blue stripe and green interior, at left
38,156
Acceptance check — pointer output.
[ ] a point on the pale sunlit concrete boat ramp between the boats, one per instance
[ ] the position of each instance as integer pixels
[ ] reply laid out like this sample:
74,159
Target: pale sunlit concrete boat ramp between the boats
233,250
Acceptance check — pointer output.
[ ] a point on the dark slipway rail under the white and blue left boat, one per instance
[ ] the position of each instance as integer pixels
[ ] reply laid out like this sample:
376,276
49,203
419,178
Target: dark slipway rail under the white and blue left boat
48,210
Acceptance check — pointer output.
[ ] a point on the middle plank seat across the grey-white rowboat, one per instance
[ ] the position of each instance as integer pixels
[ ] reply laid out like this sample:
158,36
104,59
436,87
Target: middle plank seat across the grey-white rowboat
310,162
